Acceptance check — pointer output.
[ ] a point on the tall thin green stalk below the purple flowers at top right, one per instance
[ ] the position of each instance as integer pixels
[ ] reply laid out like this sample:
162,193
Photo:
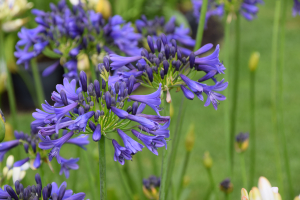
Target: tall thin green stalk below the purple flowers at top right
235,88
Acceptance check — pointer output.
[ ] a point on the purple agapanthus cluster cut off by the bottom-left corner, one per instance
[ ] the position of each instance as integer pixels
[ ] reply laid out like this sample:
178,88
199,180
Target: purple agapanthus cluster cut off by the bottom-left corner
36,192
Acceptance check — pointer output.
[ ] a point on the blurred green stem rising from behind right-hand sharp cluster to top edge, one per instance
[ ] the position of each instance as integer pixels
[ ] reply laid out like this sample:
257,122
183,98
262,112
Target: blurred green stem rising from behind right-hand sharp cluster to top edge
201,25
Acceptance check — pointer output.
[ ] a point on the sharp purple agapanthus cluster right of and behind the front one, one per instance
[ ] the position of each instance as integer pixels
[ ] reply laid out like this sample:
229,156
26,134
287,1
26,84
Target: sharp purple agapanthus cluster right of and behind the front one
170,68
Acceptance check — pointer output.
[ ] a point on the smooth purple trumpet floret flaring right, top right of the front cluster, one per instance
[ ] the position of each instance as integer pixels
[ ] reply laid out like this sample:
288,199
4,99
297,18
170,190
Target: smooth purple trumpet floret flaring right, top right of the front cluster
153,100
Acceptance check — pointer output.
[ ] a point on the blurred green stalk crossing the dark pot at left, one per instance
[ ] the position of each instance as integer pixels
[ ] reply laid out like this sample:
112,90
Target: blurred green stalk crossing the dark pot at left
37,82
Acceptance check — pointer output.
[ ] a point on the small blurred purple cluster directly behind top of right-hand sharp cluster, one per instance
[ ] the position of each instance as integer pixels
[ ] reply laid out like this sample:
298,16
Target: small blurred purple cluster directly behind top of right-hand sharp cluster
158,26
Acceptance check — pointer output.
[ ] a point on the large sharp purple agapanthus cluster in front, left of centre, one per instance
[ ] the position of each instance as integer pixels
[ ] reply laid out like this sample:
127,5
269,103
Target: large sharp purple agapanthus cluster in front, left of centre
100,109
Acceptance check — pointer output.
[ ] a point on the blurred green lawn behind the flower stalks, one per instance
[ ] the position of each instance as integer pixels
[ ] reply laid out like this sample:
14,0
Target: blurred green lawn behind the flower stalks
209,124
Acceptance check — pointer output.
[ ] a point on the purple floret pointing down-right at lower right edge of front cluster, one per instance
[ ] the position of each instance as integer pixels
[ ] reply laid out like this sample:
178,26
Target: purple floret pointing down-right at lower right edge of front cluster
151,142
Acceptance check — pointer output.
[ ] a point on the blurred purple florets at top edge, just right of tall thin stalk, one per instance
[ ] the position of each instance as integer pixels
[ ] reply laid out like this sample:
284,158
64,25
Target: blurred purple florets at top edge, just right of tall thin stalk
249,8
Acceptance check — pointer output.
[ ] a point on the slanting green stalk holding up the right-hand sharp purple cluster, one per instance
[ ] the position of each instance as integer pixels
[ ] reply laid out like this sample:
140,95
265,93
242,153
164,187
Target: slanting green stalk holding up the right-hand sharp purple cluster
176,139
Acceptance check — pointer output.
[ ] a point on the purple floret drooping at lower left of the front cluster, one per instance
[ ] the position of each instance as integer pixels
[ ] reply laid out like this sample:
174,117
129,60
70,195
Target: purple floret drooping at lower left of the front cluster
55,145
